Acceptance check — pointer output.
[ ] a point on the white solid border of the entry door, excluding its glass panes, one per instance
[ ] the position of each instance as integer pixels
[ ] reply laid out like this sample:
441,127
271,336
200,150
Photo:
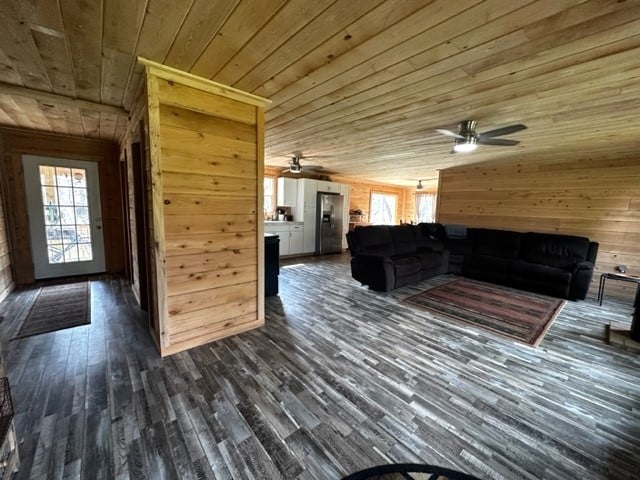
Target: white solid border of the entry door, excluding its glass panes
41,266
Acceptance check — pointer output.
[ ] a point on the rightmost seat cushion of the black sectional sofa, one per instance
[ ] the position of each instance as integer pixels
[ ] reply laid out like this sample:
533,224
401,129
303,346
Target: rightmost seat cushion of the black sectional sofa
541,278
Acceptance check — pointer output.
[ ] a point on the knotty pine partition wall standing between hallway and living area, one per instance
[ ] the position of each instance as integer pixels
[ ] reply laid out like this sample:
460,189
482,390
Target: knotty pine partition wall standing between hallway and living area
206,151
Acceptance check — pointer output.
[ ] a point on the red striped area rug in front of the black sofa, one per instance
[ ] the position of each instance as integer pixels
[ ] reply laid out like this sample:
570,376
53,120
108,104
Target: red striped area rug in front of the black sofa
519,315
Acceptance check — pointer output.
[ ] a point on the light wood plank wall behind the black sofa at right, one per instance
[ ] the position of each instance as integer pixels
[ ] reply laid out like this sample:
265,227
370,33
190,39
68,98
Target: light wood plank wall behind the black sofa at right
598,198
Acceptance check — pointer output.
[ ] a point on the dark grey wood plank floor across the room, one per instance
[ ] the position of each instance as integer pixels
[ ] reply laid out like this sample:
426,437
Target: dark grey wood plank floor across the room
340,378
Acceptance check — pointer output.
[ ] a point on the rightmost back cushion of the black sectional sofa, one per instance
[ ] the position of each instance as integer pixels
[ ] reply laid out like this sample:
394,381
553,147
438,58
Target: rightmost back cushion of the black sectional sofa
561,251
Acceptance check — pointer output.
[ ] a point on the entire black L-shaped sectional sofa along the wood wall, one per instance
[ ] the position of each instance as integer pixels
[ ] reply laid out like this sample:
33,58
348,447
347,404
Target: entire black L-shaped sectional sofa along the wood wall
387,257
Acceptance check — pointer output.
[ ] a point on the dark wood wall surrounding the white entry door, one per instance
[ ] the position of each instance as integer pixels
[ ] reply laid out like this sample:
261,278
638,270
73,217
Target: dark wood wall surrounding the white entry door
16,143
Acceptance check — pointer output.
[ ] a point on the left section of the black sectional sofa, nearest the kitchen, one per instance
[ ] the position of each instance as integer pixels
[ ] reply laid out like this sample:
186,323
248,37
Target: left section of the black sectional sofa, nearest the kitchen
386,257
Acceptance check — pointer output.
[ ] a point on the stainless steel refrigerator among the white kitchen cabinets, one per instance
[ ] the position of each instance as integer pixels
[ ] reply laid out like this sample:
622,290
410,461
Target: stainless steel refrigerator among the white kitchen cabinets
329,223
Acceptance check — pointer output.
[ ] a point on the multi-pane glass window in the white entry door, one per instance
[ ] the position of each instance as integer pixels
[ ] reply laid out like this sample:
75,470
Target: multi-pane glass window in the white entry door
66,214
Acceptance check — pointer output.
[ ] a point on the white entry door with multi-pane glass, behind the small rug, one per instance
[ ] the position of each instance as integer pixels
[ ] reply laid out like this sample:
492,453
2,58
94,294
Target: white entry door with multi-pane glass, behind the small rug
65,219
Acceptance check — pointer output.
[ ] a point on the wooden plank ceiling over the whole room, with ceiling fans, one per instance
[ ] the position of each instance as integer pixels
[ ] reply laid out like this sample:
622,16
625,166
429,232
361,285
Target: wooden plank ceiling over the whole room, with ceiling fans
360,84
